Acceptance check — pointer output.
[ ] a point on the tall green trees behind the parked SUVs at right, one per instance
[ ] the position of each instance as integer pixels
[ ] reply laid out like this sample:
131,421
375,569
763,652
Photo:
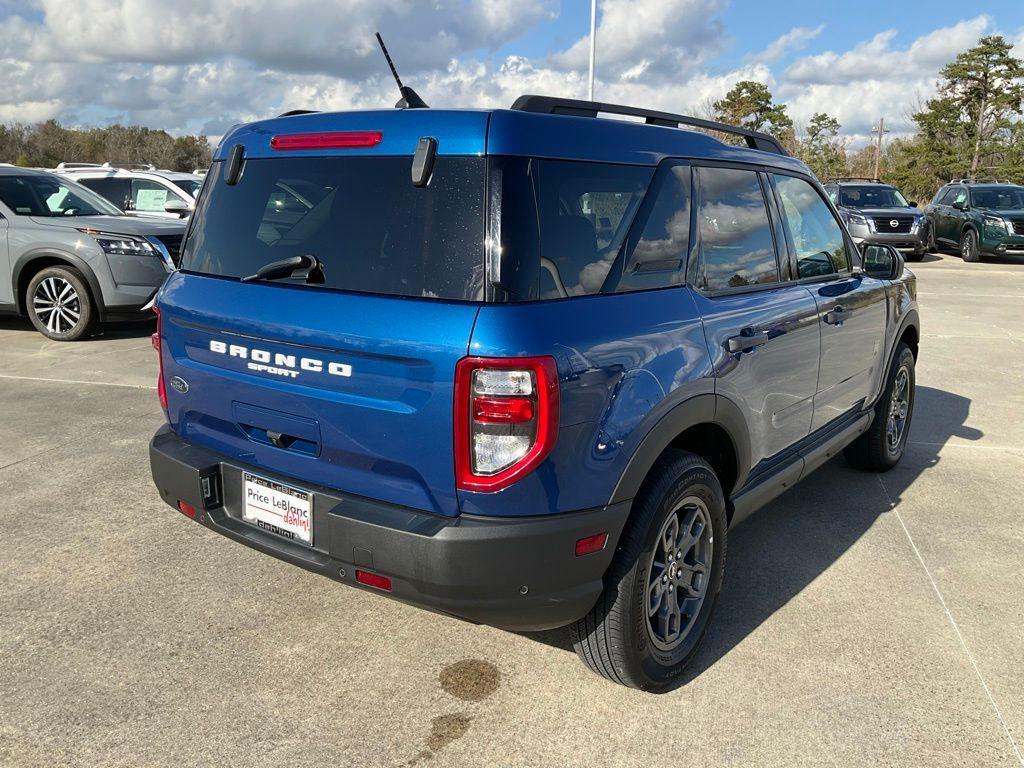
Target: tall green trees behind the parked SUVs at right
972,129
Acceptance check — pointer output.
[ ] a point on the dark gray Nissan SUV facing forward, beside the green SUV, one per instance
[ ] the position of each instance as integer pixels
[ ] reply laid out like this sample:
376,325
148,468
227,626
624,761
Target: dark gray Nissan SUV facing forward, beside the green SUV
878,214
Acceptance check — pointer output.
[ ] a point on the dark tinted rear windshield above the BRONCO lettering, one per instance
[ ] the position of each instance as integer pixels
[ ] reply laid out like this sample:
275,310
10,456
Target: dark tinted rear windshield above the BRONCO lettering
373,231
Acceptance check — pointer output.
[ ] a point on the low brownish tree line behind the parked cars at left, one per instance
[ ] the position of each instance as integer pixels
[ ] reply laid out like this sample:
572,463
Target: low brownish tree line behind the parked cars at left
46,145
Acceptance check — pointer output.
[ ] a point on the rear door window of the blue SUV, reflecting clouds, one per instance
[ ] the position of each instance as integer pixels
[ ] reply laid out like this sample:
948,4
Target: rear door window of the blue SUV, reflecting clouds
737,244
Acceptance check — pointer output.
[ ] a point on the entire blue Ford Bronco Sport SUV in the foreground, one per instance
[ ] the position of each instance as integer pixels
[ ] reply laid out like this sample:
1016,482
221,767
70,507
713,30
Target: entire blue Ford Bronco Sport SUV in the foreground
525,367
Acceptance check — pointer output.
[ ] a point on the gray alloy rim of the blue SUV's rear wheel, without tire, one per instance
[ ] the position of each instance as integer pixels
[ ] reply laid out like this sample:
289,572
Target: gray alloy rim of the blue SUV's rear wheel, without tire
679,573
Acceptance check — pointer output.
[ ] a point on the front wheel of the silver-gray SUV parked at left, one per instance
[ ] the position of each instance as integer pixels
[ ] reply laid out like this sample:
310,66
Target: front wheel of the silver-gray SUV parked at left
59,305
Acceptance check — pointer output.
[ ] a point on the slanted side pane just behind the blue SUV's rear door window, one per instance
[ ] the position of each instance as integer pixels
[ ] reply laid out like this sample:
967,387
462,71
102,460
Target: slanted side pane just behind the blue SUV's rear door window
659,255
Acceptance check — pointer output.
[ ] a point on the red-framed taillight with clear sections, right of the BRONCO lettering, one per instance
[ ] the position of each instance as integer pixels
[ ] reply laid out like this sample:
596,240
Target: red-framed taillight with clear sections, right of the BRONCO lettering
506,419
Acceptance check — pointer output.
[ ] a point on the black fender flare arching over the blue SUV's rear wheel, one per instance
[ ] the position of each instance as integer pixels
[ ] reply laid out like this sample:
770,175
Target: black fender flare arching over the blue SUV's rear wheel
702,409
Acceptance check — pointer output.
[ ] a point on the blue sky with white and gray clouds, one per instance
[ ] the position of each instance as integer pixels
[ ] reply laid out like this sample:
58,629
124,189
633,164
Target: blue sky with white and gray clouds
201,66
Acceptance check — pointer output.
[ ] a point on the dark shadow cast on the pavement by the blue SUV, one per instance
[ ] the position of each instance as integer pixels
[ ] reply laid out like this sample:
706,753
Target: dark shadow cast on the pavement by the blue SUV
779,551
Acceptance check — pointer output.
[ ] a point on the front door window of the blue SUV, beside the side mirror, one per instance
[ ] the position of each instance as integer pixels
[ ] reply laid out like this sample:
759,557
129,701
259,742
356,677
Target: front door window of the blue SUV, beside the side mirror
817,236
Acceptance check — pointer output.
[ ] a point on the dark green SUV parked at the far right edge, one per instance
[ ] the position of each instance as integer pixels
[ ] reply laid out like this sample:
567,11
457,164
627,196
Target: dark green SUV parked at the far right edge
978,219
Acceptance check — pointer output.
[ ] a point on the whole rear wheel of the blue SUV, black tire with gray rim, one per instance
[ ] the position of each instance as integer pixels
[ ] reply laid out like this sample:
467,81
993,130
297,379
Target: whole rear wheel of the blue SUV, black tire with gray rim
653,616
